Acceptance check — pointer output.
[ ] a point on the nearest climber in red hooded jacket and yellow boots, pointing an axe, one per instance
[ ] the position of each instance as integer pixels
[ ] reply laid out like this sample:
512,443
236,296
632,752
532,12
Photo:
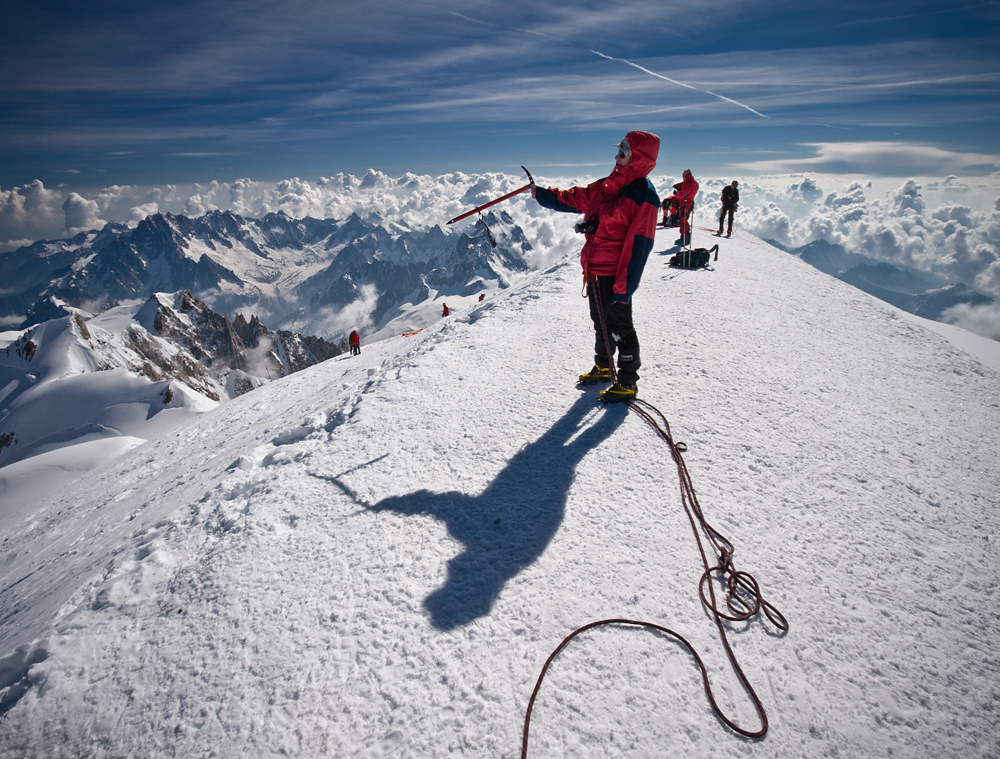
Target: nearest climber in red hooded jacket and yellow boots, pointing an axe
620,214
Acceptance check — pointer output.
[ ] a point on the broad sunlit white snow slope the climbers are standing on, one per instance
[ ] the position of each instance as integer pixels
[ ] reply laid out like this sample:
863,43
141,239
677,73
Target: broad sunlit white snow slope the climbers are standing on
374,557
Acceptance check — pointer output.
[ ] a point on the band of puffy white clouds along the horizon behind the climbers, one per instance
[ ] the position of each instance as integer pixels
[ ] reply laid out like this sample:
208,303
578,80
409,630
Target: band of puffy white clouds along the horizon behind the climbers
949,227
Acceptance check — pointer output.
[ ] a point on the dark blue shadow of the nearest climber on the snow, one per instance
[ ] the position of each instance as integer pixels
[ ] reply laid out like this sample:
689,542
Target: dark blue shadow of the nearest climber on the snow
507,527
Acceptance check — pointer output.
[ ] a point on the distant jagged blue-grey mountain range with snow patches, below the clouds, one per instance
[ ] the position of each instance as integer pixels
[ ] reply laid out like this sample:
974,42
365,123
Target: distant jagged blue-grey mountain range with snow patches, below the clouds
298,274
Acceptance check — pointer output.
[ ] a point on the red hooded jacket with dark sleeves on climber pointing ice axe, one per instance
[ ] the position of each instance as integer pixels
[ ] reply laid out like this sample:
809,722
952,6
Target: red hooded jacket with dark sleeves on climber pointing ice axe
626,208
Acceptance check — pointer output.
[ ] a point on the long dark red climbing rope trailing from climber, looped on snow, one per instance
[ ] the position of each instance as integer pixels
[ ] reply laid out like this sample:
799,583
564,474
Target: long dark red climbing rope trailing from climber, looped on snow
743,597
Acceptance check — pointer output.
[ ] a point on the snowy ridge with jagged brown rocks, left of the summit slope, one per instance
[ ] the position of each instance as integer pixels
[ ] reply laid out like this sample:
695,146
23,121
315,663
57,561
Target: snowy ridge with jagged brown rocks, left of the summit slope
79,389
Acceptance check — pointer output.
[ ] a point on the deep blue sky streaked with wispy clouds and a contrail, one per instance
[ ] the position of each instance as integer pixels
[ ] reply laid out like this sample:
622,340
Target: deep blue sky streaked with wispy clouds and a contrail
108,92
